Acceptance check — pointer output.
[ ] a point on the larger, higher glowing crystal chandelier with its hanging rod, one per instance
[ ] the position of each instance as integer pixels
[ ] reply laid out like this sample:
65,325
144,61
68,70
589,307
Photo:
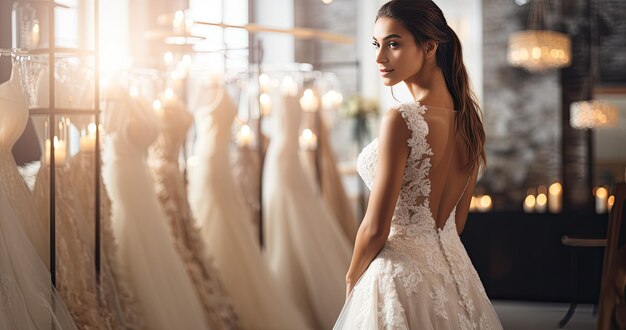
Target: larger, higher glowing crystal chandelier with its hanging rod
536,49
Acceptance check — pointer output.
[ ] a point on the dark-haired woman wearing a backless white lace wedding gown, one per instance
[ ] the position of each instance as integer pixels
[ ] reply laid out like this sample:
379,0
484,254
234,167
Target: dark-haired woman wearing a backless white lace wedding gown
409,268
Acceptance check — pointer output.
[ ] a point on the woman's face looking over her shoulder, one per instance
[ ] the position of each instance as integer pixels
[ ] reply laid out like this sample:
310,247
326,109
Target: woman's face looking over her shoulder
398,57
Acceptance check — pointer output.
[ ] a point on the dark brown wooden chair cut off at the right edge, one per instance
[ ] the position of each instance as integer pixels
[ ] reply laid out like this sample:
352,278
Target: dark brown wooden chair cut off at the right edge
613,284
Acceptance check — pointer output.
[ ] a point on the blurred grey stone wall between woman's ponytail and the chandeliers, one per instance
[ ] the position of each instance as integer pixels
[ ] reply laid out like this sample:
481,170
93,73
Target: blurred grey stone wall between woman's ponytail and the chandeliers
521,113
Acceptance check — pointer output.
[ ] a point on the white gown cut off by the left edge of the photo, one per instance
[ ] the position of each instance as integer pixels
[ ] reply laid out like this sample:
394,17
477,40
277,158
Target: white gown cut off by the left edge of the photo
27,298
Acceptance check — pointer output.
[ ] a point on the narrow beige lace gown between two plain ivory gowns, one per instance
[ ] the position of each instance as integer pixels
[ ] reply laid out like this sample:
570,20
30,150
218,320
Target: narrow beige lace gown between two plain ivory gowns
172,193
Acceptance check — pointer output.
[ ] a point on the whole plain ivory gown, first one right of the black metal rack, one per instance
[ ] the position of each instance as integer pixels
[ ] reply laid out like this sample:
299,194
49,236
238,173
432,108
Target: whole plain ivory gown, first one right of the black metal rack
149,261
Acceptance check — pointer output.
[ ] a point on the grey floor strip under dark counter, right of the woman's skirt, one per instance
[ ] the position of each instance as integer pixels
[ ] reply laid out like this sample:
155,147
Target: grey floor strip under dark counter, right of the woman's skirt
519,315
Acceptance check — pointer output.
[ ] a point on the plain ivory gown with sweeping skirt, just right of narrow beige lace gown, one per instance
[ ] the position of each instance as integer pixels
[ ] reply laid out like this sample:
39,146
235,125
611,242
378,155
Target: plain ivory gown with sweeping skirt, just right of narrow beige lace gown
217,205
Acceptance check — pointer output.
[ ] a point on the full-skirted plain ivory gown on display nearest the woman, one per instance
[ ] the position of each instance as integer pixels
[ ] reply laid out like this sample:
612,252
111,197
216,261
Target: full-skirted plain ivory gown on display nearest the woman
307,250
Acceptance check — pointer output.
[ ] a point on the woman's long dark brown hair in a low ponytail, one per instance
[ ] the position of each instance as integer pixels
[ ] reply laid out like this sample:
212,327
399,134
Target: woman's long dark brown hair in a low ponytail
425,20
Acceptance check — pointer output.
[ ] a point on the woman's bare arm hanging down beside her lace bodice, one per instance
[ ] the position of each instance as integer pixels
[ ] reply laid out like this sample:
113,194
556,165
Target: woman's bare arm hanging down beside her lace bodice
393,152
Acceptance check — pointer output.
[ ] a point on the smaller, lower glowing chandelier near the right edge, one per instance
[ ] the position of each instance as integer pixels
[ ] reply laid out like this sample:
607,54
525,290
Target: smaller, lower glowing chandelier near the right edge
593,114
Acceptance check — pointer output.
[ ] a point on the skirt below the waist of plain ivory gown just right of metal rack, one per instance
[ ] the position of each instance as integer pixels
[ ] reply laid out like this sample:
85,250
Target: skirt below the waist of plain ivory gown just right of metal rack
149,261
